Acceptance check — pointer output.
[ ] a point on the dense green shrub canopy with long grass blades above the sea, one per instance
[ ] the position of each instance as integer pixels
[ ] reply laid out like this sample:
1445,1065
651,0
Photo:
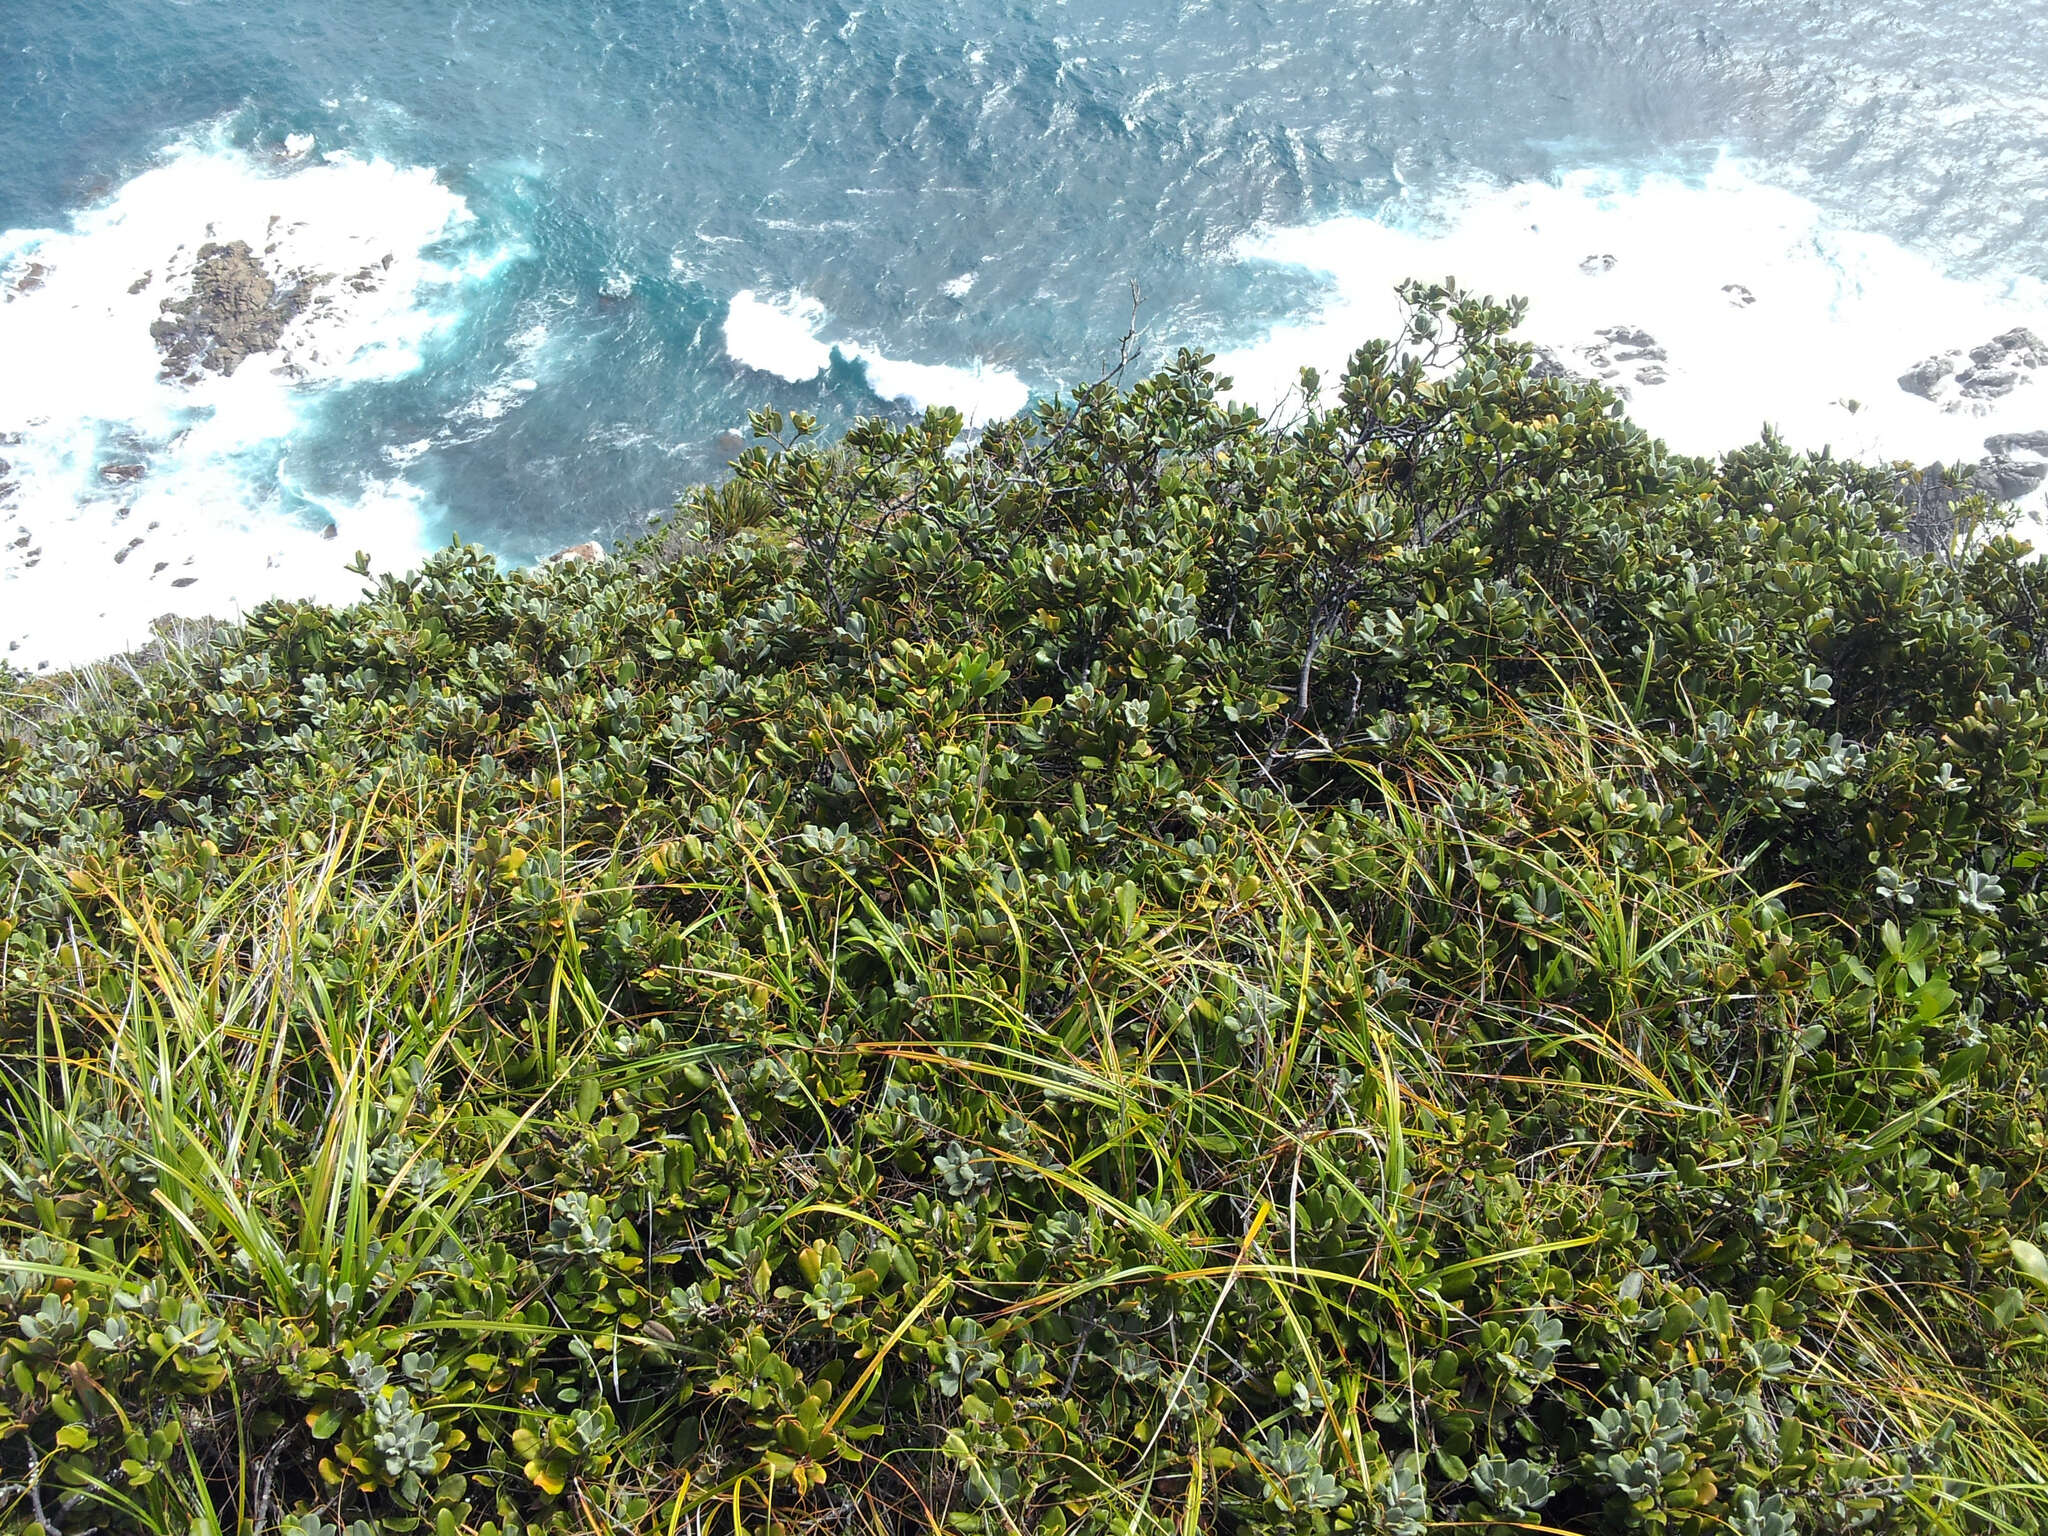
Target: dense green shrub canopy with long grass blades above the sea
1428,966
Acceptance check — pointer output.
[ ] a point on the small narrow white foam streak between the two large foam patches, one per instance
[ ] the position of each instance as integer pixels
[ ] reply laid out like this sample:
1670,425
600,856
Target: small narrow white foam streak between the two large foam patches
785,335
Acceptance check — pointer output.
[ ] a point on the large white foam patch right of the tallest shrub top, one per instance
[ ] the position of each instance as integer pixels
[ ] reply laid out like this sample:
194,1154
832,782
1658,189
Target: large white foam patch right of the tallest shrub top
1766,310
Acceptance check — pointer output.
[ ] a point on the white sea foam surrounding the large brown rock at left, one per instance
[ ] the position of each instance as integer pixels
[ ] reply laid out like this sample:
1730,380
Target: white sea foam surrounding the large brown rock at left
134,495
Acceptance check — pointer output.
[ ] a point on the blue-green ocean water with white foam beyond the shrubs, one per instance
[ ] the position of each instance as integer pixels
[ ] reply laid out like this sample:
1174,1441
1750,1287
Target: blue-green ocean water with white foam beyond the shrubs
568,247
